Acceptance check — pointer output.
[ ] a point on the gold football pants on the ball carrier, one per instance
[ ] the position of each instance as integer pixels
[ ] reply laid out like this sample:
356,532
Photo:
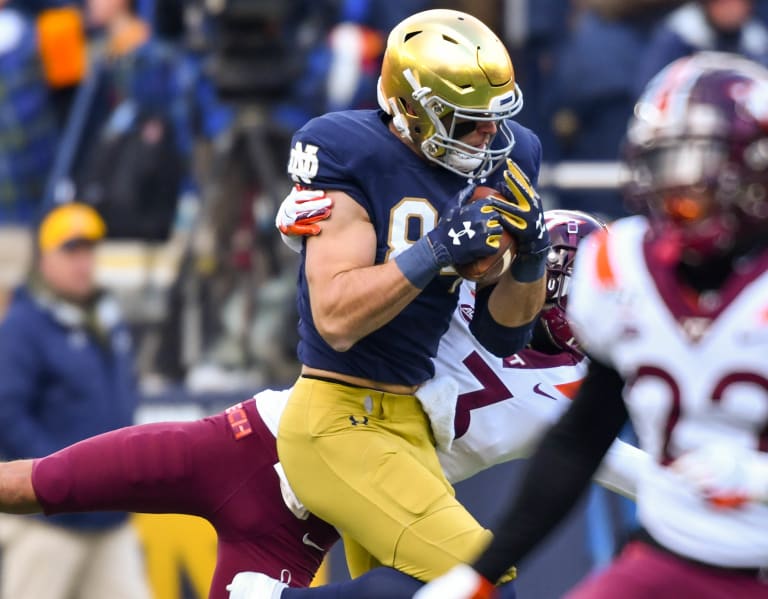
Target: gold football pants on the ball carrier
365,461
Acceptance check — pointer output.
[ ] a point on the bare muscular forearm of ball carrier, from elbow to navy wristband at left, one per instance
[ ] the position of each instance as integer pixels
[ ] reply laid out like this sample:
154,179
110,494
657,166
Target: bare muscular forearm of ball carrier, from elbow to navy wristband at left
356,302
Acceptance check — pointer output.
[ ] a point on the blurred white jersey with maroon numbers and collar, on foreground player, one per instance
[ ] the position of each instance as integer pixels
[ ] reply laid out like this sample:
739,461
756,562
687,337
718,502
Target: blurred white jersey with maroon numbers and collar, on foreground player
695,374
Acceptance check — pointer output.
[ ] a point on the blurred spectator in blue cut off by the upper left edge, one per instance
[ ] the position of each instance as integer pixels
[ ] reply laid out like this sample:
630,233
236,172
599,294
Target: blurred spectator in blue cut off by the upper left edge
28,130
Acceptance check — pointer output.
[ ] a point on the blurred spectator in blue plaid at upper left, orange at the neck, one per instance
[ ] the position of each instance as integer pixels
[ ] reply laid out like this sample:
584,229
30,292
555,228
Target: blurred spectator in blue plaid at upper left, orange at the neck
150,106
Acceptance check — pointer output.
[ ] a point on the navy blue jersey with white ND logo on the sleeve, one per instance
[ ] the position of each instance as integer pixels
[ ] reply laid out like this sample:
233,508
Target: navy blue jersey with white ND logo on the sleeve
404,195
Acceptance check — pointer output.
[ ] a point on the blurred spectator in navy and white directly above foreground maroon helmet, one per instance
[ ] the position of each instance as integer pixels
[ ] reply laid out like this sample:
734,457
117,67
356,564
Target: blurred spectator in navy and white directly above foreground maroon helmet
722,25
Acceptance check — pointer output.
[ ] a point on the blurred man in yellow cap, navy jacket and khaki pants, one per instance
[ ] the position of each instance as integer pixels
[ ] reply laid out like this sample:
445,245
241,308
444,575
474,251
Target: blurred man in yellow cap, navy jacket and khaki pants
66,373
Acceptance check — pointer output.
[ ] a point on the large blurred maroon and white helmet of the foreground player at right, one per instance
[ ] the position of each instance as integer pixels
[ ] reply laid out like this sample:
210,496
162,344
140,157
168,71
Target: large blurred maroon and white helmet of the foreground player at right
697,153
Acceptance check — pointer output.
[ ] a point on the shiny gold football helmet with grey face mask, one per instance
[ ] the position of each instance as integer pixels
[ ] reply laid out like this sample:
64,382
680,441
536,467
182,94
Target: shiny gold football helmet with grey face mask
441,69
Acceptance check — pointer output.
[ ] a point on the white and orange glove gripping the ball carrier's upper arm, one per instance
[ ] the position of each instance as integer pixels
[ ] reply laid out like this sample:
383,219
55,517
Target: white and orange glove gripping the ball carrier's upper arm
299,214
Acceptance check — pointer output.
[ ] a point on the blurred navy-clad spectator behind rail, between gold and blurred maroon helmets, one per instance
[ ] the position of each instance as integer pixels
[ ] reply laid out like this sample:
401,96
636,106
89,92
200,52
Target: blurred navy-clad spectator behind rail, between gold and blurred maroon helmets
590,94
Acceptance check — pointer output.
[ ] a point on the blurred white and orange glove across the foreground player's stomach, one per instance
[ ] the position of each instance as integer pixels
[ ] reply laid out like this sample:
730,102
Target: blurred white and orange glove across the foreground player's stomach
725,475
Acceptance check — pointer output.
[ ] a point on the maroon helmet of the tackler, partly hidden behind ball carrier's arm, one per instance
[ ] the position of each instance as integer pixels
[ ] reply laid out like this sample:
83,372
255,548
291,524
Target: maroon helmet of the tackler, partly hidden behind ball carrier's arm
566,229
